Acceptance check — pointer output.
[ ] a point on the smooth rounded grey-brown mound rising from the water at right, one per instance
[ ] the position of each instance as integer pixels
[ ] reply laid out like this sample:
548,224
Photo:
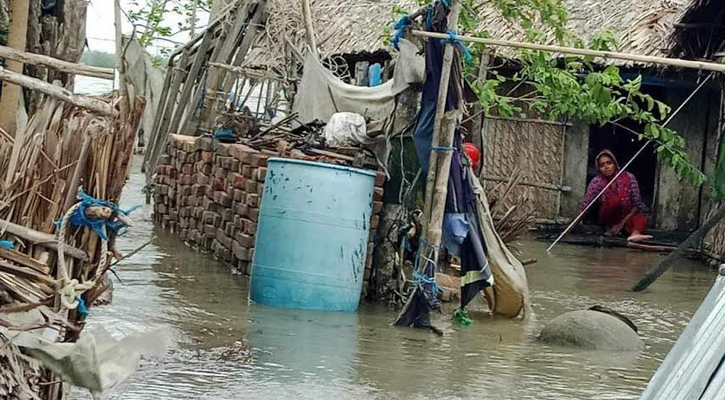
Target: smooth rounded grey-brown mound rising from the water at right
593,330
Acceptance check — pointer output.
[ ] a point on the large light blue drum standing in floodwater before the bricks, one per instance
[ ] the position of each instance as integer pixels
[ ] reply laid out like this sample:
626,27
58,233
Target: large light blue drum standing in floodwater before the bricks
312,236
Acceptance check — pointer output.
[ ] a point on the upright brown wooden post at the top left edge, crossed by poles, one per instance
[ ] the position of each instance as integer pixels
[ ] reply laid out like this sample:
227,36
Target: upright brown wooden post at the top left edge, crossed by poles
17,35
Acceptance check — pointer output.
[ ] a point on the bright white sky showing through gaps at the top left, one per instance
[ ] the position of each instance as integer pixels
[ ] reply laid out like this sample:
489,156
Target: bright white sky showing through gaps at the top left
100,30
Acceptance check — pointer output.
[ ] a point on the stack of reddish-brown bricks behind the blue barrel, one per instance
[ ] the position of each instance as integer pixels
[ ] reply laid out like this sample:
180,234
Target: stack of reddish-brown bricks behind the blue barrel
209,193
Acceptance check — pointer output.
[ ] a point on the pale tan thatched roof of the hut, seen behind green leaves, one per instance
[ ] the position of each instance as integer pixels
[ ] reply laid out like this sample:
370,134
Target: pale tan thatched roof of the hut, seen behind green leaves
356,26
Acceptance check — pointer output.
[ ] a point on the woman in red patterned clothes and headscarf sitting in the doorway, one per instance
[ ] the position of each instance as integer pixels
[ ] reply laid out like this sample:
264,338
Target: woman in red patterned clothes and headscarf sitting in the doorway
621,204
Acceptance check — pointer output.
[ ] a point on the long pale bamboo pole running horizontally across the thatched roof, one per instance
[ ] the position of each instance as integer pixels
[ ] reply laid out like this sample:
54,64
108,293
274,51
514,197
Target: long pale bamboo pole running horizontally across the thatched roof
607,55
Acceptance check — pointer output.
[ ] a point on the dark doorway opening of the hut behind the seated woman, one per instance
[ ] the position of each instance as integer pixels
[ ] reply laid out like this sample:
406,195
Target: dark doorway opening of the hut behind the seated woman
624,145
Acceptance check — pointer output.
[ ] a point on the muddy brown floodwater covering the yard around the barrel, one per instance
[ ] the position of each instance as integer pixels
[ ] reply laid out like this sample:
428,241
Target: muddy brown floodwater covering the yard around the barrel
316,355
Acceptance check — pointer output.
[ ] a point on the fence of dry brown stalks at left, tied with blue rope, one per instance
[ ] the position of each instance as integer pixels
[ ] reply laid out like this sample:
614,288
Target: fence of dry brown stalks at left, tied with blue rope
62,149
